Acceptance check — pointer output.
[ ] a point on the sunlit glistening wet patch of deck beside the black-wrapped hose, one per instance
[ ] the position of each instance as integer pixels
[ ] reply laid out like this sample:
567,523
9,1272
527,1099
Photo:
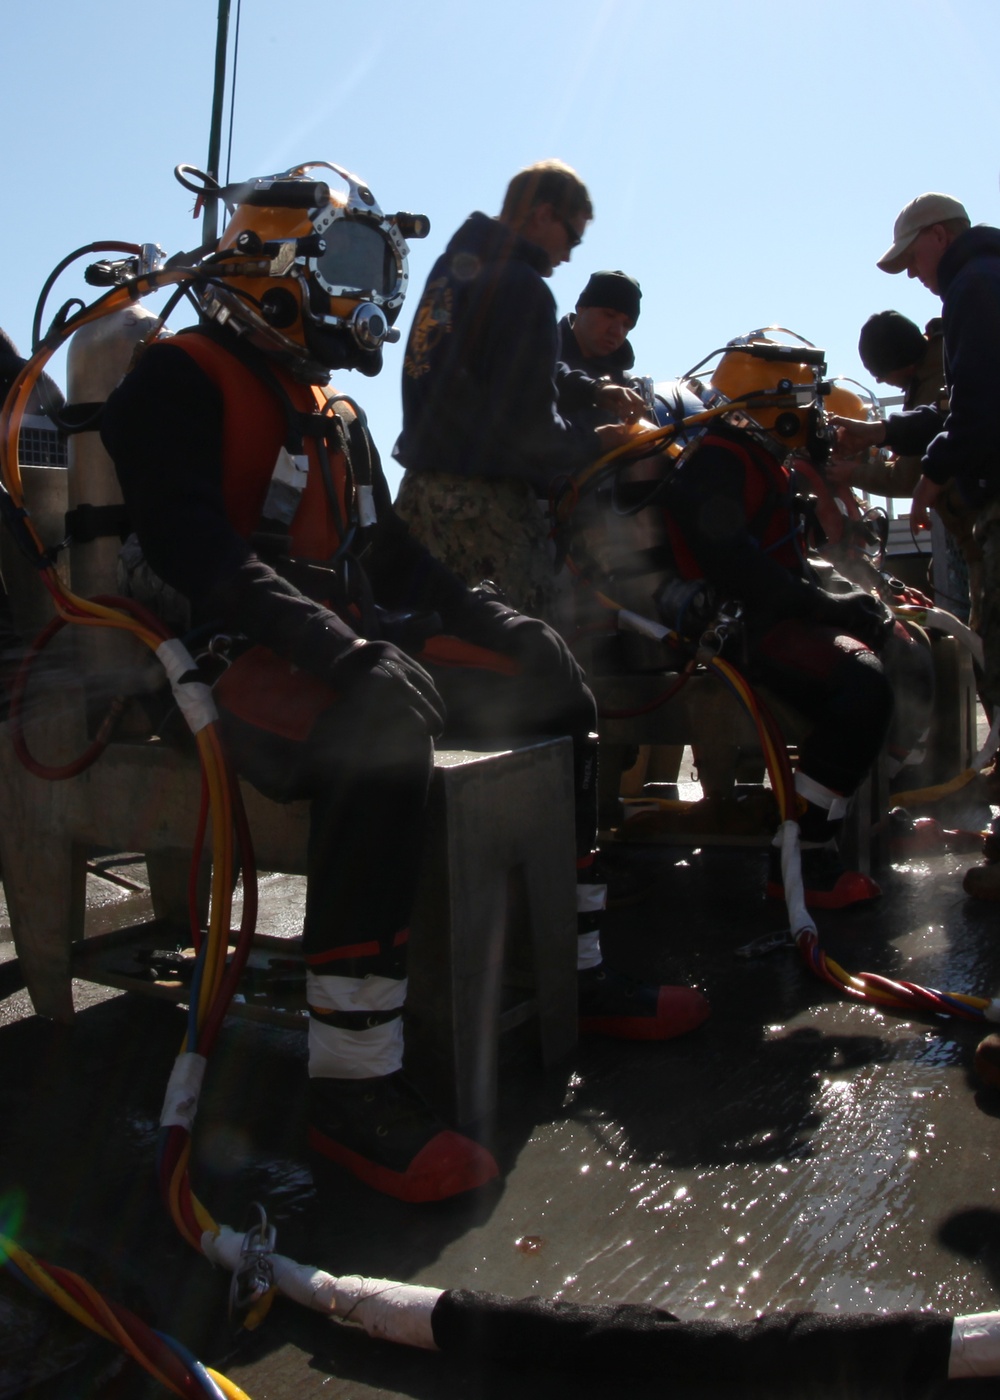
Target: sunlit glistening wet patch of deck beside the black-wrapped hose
849,1220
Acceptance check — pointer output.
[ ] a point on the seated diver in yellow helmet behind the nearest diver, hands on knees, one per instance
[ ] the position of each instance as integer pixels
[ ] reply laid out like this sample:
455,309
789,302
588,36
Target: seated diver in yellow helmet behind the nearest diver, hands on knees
733,520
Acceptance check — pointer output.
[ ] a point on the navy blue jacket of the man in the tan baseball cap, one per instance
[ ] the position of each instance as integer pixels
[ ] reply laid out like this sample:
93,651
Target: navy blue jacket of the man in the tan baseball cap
964,443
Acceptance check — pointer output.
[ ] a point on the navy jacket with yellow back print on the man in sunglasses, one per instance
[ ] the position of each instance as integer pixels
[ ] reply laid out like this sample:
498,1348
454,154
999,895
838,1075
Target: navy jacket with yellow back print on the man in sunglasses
481,377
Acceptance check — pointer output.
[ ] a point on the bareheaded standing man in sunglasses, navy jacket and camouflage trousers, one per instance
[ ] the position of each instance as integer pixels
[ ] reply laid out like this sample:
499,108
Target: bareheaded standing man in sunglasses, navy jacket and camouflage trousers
488,411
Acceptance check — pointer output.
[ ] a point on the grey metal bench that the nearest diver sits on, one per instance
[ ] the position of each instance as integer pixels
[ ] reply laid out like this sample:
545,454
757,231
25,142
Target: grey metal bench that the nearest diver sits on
498,822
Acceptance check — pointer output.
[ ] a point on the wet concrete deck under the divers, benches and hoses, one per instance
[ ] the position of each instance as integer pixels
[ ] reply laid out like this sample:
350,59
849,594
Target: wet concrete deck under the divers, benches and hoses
796,1151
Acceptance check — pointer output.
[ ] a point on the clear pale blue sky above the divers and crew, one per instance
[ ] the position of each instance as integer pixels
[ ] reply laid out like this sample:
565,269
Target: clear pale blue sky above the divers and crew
747,159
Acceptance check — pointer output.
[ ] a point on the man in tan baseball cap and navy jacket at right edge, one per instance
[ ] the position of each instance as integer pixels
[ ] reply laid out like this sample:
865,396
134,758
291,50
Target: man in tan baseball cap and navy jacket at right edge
935,243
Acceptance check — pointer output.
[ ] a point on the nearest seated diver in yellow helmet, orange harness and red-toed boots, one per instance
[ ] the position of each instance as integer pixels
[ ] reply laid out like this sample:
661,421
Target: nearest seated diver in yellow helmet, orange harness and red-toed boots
257,493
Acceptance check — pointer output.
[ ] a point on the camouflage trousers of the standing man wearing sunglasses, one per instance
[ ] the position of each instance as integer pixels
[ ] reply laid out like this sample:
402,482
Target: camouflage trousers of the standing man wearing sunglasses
484,530
